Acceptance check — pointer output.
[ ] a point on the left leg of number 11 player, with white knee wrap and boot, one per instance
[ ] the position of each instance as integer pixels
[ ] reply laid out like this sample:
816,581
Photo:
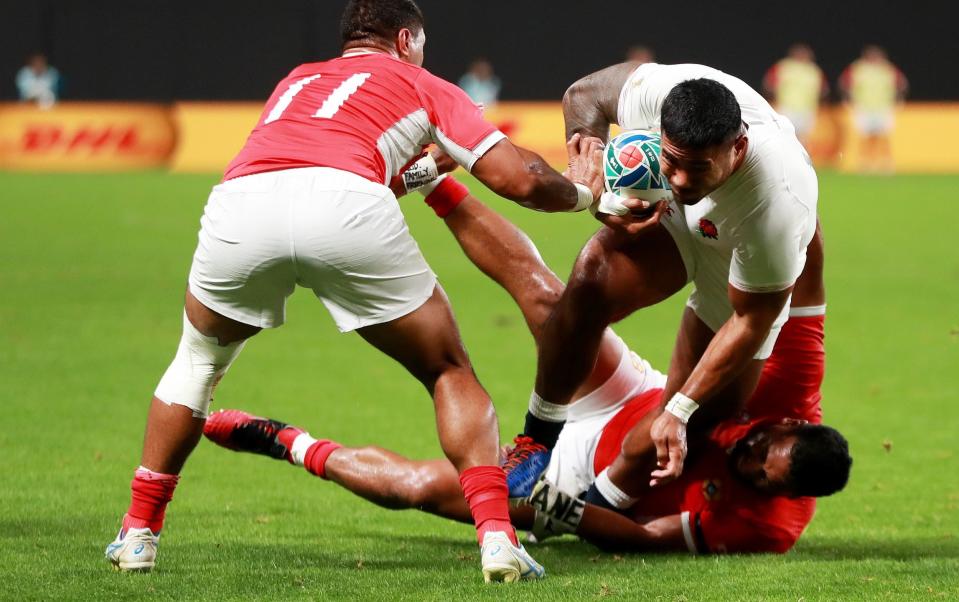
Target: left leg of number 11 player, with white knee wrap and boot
172,432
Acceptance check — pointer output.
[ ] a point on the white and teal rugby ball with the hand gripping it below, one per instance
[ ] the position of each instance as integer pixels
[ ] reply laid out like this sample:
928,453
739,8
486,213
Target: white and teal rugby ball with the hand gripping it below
631,168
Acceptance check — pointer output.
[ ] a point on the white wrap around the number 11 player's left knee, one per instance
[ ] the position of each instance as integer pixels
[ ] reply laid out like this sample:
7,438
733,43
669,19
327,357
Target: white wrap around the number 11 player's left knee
198,366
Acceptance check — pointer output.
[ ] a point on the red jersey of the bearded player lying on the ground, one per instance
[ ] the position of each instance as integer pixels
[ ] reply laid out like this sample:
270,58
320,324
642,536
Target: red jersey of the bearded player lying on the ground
719,513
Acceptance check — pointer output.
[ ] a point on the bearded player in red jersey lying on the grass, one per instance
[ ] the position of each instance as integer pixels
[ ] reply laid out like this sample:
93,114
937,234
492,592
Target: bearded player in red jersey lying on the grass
746,485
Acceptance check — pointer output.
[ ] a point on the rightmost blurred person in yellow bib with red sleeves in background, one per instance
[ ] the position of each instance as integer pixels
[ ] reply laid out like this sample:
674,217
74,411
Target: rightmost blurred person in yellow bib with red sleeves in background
874,86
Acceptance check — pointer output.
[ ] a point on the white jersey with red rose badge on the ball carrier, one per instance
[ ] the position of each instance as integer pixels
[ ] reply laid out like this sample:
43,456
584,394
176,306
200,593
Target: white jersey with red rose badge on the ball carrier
752,231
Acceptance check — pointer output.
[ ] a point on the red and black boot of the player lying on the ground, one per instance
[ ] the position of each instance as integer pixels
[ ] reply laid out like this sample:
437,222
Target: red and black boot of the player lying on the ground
240,431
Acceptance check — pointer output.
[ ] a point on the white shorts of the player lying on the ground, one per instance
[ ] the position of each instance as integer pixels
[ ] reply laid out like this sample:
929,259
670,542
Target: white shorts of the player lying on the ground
571,465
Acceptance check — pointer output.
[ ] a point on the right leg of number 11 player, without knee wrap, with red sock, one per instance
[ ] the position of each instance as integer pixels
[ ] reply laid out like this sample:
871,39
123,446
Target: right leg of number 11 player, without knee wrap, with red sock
427,343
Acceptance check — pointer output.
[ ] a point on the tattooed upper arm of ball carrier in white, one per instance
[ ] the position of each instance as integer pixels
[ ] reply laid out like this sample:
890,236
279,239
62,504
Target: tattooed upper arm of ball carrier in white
591,104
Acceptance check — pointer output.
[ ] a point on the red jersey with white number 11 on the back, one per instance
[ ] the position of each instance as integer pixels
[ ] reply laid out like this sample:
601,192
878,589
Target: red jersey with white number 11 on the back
368,113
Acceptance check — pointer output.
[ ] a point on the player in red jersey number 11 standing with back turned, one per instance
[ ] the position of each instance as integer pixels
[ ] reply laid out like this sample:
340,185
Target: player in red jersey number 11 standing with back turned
306,202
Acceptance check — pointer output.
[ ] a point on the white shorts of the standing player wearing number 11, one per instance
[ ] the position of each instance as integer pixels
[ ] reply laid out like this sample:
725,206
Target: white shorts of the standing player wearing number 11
325,229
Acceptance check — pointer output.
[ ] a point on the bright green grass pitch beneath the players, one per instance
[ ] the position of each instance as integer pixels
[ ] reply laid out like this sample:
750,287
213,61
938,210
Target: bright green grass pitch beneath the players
91,280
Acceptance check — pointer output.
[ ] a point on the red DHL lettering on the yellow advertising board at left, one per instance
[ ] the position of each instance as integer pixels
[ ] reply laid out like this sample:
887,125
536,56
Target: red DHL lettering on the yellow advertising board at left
53,138
